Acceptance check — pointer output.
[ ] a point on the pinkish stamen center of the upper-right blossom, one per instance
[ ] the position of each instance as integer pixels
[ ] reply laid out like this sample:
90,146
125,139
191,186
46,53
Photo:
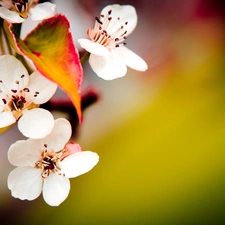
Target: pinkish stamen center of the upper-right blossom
108,31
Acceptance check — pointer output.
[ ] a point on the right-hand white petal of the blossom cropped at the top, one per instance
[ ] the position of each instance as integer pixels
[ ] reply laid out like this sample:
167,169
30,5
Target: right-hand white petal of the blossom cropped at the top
42,11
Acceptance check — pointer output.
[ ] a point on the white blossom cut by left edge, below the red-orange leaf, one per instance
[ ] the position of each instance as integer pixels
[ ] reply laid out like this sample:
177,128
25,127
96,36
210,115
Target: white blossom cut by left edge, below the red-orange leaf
20,96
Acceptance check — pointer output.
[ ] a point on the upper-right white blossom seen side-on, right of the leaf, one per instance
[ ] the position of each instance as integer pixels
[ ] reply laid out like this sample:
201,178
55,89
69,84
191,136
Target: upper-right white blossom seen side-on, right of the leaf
109,57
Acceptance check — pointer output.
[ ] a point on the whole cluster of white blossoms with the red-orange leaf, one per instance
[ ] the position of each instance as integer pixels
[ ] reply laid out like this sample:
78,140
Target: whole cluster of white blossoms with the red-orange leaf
32,69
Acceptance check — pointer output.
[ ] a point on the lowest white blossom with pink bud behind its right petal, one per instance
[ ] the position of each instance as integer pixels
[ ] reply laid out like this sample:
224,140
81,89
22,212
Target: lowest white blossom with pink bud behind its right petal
47,164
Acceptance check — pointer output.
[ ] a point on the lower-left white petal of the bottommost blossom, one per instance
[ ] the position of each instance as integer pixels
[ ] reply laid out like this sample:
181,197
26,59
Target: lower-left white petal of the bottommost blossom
25,183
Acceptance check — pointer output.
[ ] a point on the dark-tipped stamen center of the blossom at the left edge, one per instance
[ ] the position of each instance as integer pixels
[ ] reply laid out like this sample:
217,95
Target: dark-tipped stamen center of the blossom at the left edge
16,100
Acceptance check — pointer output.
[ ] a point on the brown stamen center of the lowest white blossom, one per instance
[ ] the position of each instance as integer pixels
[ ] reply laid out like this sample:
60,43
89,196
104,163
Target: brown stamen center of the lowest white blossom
48,162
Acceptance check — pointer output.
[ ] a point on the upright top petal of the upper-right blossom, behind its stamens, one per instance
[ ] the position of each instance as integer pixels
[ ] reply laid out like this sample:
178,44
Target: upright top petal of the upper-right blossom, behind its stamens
126,13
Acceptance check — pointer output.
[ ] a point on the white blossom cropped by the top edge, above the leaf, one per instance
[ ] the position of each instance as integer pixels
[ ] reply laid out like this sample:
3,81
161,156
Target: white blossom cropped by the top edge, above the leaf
16,11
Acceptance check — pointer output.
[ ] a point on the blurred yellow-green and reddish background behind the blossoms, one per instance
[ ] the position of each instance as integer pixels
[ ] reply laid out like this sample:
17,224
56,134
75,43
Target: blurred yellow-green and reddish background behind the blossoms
160,134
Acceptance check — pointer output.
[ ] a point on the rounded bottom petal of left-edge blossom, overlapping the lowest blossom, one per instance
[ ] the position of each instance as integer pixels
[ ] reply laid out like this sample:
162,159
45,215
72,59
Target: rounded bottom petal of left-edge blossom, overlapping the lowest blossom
36,123
